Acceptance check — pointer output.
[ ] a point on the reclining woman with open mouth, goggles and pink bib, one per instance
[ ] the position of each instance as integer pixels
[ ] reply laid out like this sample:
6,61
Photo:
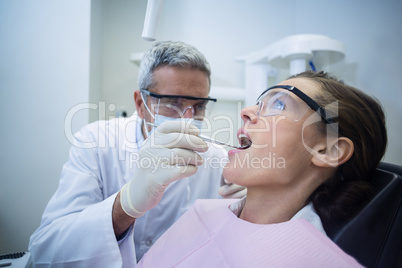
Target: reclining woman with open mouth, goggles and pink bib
314,141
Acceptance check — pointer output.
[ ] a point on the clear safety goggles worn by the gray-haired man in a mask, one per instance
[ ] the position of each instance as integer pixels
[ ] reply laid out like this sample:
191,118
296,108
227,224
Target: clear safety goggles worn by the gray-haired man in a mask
176,106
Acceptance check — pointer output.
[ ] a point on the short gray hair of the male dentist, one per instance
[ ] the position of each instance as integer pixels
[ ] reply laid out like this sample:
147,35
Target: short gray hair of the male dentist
174,54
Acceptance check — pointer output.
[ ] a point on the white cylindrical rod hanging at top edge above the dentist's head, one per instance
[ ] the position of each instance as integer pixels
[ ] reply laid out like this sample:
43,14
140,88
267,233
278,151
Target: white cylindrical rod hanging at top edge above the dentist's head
152,15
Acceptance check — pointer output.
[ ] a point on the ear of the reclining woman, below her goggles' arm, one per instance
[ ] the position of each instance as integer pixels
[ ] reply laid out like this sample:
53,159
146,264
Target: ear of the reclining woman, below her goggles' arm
334,153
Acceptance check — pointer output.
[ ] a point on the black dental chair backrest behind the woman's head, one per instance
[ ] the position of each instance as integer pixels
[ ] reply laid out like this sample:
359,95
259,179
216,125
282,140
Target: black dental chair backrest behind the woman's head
374,236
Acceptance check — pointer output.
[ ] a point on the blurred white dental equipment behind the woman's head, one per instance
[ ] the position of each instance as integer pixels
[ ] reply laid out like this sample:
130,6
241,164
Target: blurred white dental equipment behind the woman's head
297,53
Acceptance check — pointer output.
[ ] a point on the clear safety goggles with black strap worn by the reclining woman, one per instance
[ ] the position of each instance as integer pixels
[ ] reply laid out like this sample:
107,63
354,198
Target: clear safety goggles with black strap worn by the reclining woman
280,100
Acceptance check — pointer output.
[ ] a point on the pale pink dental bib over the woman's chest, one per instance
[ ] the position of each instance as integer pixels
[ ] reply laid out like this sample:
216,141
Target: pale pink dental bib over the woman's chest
210,235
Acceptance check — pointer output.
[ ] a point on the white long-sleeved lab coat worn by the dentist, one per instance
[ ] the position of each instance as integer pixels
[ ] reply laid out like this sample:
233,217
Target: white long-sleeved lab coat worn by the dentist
76,228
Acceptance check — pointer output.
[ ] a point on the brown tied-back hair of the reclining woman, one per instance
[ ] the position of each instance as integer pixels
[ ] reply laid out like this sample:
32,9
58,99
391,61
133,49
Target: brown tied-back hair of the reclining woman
361,119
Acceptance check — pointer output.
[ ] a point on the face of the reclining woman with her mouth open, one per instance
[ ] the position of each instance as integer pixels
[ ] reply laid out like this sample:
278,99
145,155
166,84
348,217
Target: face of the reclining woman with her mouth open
278,154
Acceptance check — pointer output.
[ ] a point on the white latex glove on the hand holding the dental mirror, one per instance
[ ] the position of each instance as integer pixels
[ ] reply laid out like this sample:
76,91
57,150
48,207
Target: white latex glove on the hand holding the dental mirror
168,154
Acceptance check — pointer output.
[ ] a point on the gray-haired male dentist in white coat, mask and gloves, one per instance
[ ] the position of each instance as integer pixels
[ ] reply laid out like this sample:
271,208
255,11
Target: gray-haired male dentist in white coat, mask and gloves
128,180
